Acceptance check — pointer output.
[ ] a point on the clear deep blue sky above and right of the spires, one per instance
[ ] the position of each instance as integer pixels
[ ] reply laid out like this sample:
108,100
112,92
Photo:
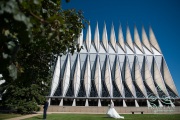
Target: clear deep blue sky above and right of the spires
162,15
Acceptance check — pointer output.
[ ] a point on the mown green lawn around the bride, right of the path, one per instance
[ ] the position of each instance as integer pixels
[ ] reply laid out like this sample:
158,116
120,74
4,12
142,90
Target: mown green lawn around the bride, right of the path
104,117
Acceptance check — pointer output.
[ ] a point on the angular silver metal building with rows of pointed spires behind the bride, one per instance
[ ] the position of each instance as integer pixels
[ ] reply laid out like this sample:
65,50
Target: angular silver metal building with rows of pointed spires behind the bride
113,69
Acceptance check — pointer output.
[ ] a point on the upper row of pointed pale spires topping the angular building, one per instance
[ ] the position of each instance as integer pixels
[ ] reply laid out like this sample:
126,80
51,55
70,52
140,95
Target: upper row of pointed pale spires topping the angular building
147,43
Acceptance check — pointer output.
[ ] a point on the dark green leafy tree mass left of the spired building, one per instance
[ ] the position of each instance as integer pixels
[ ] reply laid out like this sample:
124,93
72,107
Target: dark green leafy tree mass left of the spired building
32,33
